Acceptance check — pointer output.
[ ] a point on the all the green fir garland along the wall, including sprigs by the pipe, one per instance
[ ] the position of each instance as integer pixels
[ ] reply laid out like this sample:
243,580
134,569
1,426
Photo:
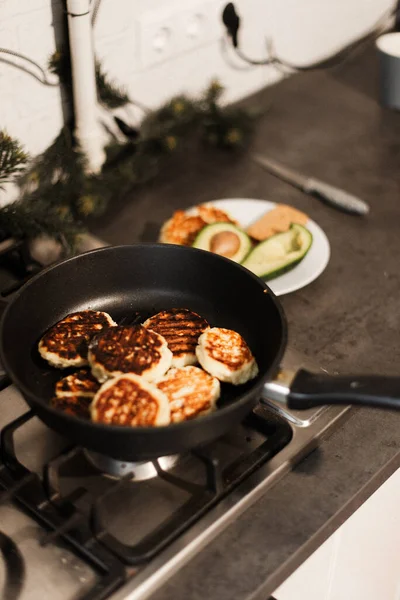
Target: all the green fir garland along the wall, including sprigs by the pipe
57,196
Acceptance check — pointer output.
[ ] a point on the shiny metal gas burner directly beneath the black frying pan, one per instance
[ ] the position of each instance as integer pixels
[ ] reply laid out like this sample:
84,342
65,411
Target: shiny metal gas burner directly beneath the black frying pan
140,470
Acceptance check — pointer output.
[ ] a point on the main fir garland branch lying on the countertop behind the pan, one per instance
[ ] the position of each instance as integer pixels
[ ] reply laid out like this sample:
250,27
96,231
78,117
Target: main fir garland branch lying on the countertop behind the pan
57,179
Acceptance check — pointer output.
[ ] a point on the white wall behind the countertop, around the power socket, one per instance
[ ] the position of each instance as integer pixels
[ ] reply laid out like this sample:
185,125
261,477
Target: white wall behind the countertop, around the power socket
302,32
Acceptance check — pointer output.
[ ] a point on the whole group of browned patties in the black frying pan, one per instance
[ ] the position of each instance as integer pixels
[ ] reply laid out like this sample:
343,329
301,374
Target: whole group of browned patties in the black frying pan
164,371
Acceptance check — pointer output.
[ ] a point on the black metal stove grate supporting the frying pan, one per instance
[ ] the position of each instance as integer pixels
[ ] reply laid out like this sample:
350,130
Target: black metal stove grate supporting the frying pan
61,516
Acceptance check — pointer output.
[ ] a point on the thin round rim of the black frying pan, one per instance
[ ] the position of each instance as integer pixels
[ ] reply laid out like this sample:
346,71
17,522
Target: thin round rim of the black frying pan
148,430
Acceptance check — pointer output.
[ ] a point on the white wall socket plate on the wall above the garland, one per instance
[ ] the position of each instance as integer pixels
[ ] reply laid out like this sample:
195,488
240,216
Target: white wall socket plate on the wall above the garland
165,34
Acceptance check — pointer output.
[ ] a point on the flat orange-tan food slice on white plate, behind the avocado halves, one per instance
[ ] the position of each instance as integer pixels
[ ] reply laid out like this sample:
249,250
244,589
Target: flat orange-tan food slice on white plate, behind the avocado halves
277,220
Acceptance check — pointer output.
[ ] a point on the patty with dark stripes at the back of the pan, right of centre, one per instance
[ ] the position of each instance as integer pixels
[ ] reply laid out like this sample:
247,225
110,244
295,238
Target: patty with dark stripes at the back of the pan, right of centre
181,329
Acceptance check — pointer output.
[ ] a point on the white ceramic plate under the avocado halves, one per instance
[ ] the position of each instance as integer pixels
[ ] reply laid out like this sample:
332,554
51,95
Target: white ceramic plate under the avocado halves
246,211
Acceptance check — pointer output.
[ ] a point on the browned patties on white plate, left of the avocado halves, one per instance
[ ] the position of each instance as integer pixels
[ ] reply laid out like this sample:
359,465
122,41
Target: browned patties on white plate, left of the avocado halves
182,228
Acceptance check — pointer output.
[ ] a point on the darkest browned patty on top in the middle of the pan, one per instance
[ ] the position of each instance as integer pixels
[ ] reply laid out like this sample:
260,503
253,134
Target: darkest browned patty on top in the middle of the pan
136,349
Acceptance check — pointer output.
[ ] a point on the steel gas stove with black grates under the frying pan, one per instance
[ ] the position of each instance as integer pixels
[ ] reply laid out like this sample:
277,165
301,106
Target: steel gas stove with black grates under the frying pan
78,525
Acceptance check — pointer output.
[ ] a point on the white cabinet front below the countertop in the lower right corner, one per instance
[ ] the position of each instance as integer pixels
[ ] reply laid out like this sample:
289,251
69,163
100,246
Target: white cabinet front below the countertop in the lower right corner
361,560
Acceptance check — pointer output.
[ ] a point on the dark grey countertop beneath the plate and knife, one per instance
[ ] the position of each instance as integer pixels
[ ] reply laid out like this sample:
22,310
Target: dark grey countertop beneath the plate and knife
329,125
